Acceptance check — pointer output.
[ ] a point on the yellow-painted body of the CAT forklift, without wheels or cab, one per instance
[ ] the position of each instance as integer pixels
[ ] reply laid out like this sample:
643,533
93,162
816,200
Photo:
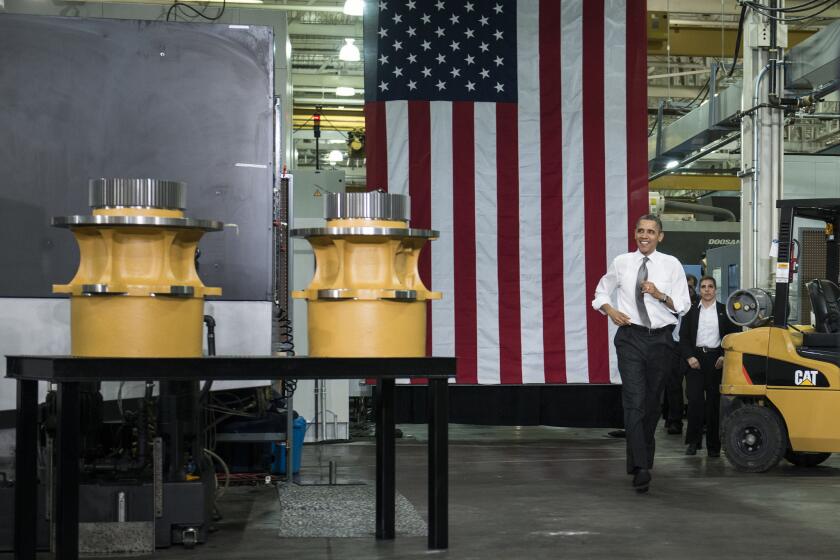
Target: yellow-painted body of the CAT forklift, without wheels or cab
809,412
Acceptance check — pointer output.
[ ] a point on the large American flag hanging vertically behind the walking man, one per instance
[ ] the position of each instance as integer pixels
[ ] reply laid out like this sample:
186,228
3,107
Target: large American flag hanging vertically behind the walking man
518,128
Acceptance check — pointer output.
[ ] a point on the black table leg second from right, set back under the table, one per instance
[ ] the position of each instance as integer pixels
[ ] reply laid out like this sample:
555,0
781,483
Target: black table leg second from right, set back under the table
385,462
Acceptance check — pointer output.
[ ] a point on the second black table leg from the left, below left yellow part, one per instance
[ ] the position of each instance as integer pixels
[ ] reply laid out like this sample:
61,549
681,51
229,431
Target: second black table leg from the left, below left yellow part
67,472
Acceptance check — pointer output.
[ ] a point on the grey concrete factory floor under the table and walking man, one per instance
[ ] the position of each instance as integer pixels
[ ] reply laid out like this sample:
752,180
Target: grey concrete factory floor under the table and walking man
539,492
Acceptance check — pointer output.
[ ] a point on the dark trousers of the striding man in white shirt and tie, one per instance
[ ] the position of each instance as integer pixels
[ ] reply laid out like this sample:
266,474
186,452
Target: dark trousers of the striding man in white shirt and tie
644,358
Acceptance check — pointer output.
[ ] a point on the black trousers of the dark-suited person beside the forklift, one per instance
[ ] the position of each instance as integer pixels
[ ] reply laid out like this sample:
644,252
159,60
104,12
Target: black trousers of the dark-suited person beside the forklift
702,387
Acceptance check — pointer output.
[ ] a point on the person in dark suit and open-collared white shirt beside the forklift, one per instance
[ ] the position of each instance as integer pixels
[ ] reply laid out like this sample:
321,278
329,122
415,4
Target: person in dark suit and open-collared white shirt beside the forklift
701,332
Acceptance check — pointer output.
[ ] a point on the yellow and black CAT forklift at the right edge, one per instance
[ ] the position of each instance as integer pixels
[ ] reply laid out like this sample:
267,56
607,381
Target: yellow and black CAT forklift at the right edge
780,392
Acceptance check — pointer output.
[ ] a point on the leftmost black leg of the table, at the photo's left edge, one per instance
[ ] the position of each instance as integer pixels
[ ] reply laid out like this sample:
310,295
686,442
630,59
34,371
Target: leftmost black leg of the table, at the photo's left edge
26,474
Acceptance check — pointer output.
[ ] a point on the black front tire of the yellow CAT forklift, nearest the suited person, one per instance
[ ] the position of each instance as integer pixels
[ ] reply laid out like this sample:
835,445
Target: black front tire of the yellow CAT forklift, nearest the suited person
754,438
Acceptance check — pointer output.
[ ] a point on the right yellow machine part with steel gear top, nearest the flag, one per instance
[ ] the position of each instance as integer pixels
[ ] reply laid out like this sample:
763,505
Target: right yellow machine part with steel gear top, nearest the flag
366,297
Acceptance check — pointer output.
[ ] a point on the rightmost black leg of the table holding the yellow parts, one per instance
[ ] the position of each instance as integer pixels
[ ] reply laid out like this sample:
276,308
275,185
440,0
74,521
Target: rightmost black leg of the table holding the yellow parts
438,463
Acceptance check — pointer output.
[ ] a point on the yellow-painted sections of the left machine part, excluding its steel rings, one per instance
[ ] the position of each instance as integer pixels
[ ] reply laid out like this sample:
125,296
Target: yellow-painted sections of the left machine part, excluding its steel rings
139,265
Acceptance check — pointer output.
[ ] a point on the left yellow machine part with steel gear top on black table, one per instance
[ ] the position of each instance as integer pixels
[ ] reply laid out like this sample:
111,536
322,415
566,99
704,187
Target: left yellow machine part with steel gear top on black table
136,292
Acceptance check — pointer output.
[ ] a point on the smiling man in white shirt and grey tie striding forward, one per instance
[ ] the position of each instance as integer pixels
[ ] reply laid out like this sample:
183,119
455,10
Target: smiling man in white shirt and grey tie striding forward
650,291
